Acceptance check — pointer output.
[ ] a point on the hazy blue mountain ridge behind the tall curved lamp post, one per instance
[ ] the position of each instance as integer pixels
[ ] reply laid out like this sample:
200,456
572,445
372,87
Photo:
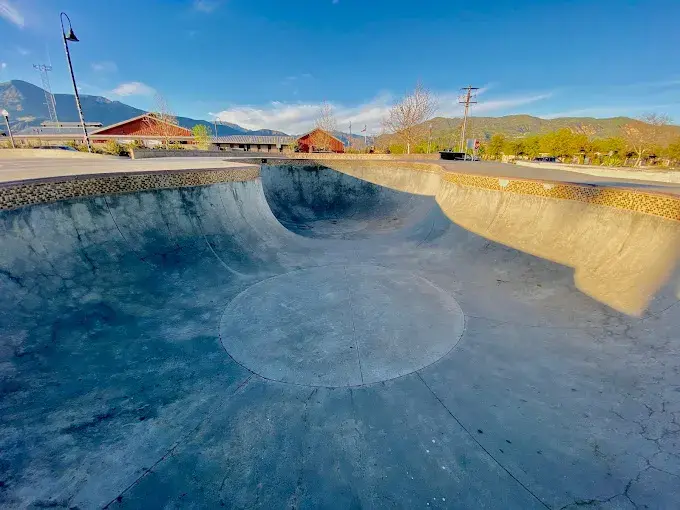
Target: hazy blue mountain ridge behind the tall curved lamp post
26,105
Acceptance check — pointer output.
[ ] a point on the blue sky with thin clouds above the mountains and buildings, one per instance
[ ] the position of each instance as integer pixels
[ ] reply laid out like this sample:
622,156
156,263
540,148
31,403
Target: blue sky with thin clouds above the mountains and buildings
270,63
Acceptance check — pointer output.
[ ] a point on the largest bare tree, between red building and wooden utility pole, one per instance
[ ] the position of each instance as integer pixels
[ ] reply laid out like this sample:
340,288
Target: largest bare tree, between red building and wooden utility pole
406,119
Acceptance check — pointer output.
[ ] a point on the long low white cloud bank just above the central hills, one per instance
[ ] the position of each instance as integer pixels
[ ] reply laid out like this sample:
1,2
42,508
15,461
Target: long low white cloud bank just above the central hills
296,118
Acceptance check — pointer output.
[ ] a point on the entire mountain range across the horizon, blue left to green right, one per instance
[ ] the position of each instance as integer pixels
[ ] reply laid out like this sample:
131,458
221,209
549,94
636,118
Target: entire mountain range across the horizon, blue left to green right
26,105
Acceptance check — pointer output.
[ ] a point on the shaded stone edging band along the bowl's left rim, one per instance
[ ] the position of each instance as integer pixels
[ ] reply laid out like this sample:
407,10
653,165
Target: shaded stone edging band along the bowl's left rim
20,194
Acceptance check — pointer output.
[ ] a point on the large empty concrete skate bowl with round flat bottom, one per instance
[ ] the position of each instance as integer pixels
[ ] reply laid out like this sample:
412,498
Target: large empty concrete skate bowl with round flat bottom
181,347
